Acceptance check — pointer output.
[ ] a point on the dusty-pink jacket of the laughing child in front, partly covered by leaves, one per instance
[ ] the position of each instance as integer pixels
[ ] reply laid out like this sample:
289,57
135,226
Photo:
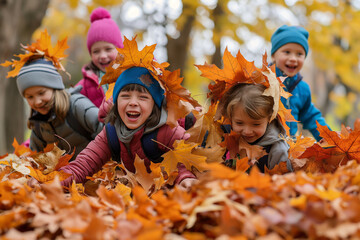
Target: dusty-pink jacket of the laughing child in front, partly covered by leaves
97,153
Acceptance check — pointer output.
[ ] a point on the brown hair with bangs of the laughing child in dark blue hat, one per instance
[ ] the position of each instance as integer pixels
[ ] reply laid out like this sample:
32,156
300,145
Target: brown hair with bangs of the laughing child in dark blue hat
154,117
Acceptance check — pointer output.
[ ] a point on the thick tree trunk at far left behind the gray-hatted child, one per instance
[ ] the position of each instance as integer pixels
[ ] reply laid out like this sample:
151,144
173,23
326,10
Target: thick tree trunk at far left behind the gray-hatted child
18,20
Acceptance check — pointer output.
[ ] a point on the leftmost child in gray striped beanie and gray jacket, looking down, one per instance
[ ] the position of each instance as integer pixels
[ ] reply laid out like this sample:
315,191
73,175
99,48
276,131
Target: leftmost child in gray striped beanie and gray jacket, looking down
57,115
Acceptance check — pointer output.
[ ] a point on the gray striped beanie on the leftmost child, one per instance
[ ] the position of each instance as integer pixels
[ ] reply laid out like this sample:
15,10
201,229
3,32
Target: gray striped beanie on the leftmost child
39,72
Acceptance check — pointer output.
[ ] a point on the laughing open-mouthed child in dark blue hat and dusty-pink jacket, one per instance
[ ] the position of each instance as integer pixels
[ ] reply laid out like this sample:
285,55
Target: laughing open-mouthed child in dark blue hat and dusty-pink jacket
139,109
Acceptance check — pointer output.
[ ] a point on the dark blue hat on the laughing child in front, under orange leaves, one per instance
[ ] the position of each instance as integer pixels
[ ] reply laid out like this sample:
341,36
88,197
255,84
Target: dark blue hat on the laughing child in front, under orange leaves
141,76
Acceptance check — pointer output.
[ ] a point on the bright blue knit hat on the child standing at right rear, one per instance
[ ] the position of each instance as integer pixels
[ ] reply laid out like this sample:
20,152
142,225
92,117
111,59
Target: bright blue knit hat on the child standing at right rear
289,34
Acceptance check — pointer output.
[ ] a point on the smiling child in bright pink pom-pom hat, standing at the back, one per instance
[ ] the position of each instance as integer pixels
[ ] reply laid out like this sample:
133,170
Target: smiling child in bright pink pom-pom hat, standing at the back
103,38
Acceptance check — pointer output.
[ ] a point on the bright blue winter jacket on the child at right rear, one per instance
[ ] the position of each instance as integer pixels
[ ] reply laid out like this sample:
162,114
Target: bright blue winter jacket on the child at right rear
301,105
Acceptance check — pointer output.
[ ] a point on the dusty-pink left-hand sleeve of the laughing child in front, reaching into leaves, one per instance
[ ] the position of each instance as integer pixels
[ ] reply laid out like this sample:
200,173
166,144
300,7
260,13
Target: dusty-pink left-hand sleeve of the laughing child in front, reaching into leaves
89,161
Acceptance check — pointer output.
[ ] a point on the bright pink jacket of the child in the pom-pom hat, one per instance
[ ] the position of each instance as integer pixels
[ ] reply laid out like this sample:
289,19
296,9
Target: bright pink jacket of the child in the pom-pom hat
91,87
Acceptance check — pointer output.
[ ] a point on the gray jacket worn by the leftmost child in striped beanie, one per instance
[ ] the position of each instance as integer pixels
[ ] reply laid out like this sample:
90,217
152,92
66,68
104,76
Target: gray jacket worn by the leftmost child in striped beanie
83,110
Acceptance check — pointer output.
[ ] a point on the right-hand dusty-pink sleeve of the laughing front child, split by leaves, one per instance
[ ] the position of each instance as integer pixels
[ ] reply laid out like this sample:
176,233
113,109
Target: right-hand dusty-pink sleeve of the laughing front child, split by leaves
167,136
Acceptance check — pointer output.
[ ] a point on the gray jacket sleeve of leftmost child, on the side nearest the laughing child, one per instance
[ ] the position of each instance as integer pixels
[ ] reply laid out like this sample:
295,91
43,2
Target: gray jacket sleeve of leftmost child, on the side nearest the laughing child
86,113
